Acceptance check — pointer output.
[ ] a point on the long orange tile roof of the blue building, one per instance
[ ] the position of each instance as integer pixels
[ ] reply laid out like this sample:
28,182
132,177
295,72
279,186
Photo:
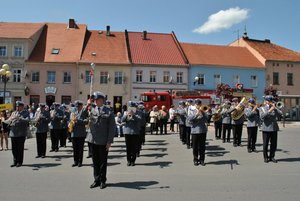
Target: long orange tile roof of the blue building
200,54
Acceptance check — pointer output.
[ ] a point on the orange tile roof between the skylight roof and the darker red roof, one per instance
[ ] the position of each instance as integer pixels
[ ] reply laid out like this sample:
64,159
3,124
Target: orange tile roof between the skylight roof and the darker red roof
105,49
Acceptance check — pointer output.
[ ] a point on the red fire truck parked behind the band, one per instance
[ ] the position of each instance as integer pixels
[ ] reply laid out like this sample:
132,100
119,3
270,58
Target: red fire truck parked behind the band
165,98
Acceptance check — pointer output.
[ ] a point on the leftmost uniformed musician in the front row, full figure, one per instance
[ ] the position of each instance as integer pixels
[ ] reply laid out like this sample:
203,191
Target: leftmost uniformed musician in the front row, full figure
19,123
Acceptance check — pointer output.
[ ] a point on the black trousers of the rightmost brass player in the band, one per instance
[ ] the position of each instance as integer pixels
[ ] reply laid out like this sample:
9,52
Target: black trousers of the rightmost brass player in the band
272,138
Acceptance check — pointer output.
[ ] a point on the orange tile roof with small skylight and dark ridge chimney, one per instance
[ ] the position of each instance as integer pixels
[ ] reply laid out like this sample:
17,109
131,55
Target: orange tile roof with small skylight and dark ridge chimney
57,35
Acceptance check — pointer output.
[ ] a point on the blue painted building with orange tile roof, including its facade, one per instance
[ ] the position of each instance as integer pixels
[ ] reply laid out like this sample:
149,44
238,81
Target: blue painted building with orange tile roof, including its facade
211,65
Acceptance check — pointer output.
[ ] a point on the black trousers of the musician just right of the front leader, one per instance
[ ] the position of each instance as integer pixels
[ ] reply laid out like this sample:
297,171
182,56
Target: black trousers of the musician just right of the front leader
131,147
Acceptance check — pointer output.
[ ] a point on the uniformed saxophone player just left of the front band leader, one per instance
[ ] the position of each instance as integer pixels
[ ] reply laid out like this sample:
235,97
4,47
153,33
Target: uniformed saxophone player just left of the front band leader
78,122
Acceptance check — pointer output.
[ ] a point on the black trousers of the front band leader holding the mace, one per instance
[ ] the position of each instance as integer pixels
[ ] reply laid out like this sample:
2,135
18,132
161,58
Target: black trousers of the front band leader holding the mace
99,156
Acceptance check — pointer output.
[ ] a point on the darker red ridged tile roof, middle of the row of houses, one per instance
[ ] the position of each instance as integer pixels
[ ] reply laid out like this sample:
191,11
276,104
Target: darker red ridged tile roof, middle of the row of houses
158,49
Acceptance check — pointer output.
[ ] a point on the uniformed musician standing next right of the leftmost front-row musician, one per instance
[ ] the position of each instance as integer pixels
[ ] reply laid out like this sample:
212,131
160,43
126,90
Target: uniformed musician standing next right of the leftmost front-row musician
41,119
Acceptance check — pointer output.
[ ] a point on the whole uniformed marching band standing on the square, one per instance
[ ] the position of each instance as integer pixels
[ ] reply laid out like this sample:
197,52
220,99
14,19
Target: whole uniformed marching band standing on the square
95,123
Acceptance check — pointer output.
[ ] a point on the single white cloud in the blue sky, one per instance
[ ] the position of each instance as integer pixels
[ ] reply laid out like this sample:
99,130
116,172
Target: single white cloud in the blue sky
224,19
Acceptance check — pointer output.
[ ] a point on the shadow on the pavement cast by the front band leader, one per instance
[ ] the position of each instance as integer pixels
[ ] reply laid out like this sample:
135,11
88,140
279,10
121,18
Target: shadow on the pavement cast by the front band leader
139,185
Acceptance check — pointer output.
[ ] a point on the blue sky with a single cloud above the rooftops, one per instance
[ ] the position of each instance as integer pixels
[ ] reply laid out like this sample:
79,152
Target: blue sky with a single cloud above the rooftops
217,22
